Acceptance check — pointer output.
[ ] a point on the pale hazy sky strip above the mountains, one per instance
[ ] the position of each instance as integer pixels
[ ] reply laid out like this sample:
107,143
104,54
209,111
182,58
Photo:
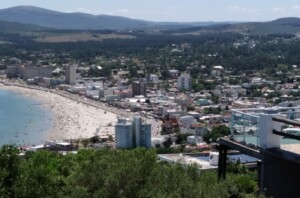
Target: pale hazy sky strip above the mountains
174,10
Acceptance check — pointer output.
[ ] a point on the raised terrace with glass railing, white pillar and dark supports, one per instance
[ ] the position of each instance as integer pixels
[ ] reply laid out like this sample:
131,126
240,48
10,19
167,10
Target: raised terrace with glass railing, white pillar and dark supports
260,136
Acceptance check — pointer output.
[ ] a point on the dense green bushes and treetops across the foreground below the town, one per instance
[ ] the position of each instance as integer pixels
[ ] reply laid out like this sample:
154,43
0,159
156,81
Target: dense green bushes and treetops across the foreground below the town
111,173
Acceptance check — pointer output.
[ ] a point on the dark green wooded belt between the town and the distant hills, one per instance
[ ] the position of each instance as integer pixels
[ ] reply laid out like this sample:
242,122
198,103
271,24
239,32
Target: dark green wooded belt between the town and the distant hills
236,53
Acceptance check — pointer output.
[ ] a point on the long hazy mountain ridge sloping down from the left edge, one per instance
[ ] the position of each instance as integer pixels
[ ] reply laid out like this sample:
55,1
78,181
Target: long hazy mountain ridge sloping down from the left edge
59,20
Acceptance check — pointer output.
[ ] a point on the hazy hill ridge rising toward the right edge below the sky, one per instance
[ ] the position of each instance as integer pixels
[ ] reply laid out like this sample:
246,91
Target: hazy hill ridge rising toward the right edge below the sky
280,26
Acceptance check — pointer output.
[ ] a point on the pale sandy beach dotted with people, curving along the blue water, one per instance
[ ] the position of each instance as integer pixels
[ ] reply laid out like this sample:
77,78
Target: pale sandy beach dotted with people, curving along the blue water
72,120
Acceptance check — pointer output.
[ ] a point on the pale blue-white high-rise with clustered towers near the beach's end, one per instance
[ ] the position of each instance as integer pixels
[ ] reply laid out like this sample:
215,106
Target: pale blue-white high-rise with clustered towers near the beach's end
133,133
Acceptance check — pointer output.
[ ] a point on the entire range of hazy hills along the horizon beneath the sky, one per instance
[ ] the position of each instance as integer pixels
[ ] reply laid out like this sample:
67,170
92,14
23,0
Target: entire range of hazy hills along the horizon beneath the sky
34,18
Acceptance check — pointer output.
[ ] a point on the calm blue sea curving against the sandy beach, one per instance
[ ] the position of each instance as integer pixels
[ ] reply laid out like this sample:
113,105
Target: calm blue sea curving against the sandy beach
23,121
